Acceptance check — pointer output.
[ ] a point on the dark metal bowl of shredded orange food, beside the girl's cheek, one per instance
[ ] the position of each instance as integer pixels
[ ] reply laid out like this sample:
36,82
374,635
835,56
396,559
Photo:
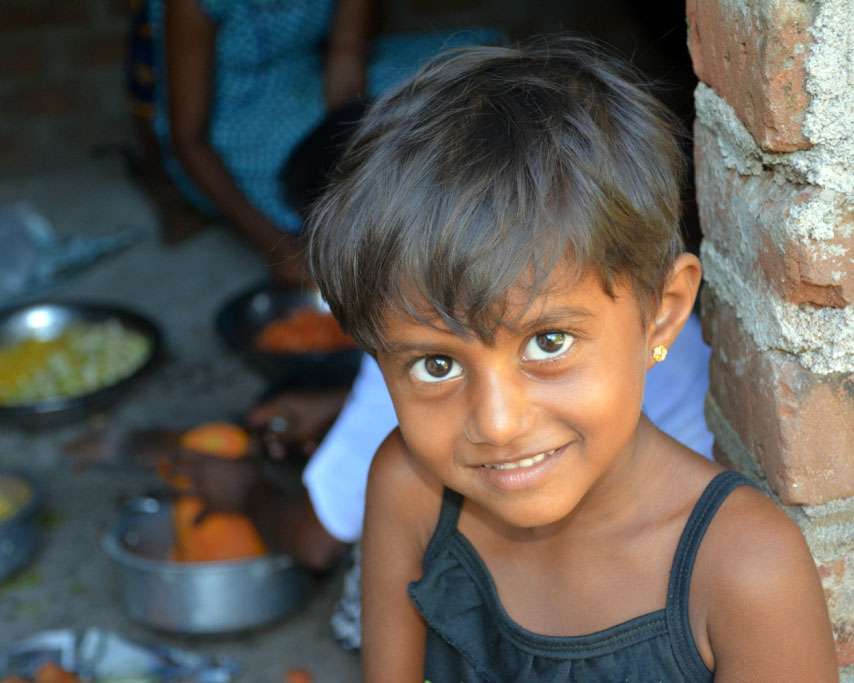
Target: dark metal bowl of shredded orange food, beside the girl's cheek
242,318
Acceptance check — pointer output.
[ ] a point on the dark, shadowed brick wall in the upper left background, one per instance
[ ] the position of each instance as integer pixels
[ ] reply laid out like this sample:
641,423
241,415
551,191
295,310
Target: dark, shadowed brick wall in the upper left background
61,80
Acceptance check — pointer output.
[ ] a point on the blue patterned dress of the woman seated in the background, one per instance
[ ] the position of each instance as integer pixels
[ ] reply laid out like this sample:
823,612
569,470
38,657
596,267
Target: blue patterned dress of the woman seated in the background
268,90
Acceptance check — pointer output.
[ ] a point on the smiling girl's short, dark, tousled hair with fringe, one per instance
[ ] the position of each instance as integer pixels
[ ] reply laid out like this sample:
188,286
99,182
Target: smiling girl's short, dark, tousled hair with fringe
484,171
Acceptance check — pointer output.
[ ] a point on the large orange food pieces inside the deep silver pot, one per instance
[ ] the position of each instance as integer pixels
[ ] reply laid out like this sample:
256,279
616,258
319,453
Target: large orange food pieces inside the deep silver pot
219,536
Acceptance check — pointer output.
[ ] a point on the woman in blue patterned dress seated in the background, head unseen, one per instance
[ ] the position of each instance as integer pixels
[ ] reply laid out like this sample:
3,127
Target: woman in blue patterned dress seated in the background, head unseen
238,85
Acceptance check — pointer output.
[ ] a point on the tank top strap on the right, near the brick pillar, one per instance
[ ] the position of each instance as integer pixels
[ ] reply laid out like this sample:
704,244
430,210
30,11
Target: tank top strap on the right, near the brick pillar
679,586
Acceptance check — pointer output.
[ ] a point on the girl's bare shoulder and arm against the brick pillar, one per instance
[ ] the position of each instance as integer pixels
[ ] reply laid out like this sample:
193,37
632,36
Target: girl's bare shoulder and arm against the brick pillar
768,619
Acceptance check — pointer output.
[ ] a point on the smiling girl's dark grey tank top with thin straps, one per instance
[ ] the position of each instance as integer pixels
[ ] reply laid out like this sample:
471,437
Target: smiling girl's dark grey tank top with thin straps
471,638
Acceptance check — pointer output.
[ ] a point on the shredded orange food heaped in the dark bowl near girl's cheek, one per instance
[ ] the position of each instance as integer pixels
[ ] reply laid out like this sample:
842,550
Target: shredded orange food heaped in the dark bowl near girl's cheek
306,329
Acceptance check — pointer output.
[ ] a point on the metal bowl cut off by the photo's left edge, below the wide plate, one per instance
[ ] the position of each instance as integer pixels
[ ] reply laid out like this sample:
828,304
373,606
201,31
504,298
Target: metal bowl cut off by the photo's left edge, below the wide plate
20,533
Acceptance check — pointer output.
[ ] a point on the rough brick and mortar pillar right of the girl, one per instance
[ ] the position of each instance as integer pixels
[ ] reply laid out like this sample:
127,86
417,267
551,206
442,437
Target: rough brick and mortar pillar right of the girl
774,152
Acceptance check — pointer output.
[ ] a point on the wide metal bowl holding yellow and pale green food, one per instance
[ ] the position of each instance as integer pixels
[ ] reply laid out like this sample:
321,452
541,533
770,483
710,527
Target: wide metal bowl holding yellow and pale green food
46,320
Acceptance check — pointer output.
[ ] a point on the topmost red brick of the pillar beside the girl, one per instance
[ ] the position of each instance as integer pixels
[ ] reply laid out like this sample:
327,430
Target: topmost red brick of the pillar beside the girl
754,56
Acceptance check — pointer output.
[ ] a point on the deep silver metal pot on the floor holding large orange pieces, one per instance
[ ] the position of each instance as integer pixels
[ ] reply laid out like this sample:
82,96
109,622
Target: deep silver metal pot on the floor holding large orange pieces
198,598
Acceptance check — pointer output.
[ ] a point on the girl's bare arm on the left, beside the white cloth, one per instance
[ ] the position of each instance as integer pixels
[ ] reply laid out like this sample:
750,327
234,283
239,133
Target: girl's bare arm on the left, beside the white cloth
400,512
